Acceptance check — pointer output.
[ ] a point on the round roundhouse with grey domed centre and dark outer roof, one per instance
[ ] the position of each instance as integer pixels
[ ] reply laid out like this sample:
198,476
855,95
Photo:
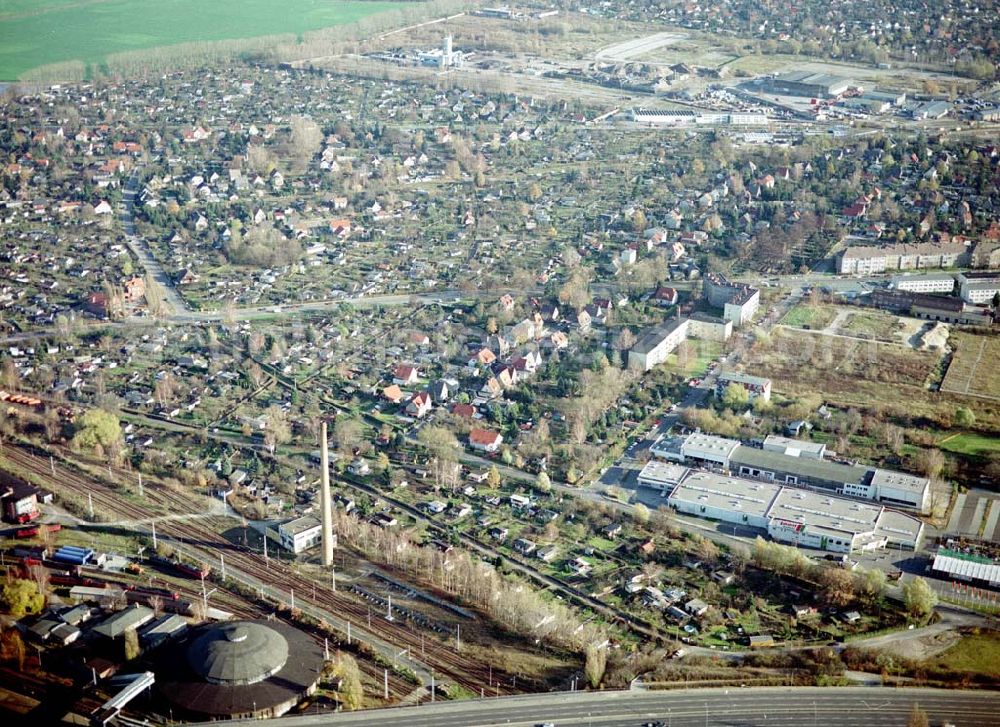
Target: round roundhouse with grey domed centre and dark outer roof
239,669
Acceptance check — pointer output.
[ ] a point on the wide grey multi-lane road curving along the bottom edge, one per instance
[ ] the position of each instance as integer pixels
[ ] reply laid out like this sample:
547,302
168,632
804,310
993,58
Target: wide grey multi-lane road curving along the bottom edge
763,706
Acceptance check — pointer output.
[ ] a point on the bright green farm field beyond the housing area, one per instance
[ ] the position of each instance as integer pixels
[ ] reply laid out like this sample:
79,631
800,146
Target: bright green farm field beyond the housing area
36,33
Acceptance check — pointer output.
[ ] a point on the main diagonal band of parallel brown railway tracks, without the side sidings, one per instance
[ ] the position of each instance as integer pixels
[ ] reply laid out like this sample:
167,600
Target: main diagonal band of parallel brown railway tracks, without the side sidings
437,657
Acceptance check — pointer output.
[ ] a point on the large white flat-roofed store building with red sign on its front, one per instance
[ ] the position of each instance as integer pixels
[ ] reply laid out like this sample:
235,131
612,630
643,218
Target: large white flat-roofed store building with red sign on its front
795,516
